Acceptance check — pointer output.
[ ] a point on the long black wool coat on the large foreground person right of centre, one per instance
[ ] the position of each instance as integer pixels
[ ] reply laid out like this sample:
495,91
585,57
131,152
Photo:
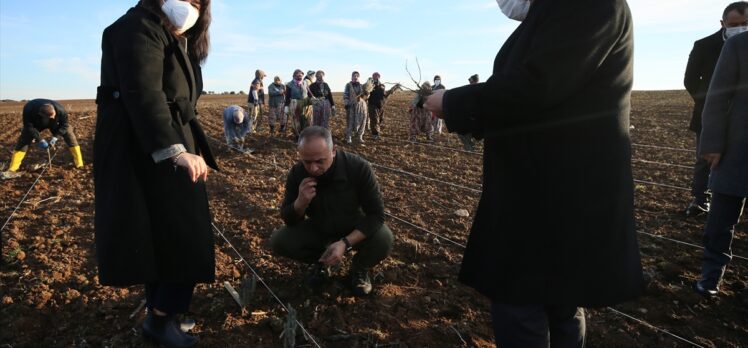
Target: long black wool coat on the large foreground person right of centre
555,222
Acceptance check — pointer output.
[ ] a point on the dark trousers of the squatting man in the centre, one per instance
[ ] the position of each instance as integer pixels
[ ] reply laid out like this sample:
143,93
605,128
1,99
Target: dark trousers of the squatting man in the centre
303,243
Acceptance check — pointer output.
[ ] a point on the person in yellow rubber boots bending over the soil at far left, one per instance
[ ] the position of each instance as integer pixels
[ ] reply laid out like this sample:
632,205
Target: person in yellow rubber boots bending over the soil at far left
38,115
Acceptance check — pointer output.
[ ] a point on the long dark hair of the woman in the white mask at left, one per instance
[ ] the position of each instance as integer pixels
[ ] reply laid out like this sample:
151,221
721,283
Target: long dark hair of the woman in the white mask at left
198,38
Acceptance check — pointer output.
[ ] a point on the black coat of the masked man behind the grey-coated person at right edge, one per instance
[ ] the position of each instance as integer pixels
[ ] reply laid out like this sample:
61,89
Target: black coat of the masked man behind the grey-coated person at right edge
699,71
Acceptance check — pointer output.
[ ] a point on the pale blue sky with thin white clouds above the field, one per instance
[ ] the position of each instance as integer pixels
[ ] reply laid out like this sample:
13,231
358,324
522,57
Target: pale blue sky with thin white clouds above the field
52,49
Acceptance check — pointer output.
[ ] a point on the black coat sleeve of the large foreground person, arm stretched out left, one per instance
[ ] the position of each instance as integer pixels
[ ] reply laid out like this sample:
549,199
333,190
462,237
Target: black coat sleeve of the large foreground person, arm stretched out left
562,56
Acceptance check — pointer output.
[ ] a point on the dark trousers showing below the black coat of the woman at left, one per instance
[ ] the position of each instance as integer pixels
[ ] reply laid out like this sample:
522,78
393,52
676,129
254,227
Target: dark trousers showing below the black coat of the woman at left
169,298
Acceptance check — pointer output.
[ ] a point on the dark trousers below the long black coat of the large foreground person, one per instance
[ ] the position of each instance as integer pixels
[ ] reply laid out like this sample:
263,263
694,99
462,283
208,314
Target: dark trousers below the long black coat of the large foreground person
535,326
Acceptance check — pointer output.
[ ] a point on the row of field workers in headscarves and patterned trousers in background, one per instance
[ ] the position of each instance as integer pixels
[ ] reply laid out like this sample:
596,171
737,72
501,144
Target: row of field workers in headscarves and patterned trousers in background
307,100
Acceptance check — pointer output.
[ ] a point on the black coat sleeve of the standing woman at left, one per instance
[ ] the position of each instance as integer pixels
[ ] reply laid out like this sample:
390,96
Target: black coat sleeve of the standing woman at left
139,50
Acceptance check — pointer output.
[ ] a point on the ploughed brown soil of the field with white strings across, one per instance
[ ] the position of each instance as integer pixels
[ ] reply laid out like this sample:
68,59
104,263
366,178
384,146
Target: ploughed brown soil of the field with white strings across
50,295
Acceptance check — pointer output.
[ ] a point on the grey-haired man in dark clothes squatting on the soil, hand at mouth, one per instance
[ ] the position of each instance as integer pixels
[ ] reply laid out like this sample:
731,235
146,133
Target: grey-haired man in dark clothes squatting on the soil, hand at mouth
332,206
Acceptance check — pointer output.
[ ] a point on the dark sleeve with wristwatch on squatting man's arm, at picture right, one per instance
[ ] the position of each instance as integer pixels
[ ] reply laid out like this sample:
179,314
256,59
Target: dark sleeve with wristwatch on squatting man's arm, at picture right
371,202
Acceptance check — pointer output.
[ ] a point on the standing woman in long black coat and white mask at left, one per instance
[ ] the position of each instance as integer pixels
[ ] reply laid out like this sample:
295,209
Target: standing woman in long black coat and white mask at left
153,223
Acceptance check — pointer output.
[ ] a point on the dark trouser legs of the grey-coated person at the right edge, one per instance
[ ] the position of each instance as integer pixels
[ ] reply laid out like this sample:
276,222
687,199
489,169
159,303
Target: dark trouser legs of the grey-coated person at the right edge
720,227
